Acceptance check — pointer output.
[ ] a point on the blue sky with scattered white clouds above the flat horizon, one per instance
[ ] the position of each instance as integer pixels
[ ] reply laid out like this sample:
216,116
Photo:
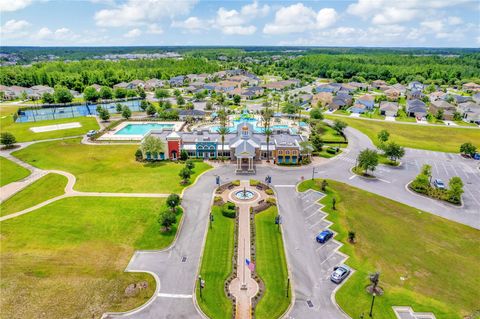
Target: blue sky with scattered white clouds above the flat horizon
372,23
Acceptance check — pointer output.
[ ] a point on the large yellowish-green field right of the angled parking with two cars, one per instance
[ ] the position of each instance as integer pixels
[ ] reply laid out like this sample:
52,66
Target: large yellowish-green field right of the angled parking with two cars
425,261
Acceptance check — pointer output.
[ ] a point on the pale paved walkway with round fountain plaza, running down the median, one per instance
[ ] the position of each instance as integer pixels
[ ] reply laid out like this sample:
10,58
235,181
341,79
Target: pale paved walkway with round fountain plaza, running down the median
244,287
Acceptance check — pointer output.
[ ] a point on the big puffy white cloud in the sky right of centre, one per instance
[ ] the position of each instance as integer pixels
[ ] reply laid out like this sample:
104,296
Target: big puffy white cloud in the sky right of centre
299,18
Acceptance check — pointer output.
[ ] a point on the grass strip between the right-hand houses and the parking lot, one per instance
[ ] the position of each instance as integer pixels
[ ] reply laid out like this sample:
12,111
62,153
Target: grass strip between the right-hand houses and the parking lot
433,138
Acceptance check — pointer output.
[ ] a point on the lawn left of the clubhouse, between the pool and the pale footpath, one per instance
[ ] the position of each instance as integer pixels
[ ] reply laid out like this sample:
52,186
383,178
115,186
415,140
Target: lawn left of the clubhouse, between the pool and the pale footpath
107,168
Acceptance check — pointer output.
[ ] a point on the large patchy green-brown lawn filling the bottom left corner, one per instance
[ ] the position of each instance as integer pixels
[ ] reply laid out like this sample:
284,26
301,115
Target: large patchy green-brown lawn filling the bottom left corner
67,259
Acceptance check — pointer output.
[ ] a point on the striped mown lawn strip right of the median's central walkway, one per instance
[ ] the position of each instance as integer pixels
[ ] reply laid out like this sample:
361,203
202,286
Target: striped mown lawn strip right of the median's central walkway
271,266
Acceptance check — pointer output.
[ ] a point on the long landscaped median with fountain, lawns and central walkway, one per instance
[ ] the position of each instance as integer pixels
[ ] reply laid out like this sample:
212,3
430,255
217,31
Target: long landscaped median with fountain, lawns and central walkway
220,268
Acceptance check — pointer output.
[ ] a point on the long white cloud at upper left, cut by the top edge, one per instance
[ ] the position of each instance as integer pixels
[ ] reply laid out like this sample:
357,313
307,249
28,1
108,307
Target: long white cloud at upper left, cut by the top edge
139,12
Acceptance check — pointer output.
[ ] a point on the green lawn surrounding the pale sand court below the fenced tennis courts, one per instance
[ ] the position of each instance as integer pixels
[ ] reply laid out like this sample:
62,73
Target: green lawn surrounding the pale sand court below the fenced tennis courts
23,133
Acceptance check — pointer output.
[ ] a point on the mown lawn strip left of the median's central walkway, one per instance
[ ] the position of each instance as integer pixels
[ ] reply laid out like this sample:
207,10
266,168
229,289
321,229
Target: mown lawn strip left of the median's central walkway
217,266
